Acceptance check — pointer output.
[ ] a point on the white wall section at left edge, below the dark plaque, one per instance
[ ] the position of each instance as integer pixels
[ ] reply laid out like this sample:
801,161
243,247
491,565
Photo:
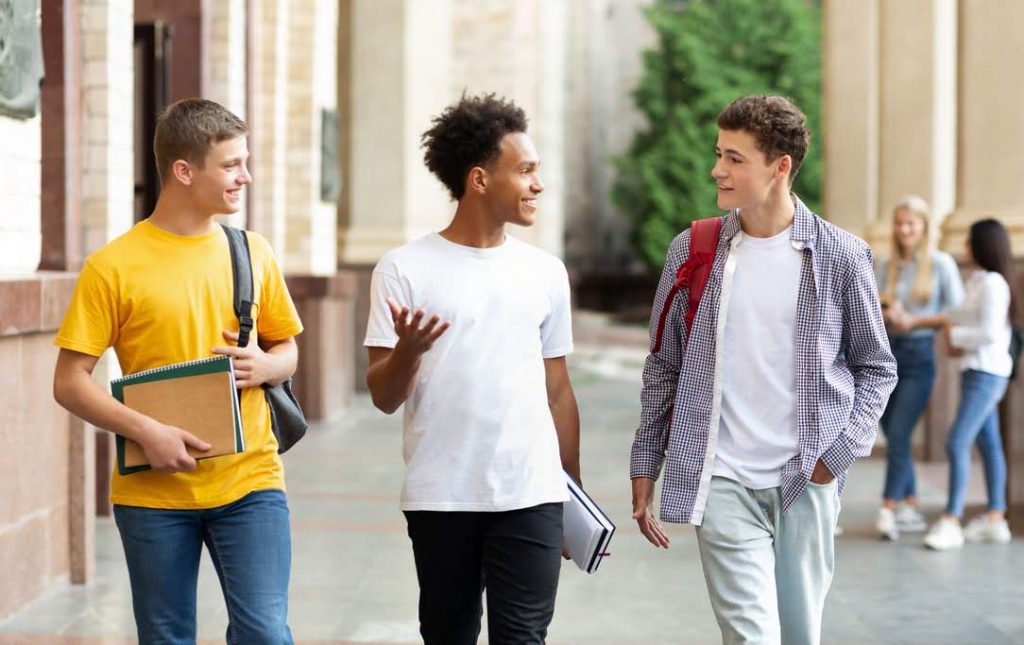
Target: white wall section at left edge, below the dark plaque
21,154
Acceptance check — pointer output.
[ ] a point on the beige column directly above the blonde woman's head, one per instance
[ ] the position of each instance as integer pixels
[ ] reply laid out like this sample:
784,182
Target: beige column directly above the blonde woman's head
918,120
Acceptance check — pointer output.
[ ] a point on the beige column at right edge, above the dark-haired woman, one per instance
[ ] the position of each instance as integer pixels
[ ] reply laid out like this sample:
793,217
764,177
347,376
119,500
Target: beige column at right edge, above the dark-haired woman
992,102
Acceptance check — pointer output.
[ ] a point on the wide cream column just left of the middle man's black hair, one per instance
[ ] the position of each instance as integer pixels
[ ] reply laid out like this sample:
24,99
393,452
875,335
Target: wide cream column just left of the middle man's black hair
400,72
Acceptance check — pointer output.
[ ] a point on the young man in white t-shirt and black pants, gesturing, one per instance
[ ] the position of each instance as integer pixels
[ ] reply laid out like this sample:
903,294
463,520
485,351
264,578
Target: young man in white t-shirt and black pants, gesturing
470,328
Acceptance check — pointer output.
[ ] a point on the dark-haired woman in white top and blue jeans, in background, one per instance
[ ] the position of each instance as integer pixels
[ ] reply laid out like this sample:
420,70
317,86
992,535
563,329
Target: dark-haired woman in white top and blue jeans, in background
978,334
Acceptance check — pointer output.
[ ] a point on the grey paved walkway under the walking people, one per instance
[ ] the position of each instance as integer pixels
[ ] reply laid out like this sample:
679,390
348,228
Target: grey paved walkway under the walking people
354,580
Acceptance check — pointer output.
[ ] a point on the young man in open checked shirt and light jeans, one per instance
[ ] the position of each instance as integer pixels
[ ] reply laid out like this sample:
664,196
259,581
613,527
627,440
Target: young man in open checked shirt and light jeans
758,411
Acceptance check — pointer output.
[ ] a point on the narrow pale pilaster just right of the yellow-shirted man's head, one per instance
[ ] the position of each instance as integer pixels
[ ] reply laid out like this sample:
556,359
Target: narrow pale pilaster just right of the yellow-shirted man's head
270,120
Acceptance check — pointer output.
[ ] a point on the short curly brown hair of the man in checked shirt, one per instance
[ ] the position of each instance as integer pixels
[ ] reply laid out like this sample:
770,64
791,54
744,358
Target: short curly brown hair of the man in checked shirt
778,125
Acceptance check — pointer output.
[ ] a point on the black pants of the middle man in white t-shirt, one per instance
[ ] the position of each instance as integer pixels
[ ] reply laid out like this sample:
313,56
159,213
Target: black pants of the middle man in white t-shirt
516,555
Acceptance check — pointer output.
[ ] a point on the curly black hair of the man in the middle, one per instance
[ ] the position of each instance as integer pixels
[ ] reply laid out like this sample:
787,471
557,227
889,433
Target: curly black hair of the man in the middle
468,135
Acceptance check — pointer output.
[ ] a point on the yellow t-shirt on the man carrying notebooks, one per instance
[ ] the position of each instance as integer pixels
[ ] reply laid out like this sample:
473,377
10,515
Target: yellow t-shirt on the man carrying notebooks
158,298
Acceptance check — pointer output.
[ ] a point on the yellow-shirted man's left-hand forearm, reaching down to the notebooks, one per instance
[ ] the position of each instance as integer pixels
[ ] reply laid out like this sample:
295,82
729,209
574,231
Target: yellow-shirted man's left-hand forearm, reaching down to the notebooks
80,395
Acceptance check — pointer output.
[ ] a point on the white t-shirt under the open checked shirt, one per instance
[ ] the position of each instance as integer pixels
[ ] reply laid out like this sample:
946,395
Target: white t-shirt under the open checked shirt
758,433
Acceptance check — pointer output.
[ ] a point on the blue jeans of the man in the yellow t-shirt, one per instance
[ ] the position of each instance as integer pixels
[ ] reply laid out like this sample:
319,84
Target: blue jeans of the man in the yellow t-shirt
251,547
